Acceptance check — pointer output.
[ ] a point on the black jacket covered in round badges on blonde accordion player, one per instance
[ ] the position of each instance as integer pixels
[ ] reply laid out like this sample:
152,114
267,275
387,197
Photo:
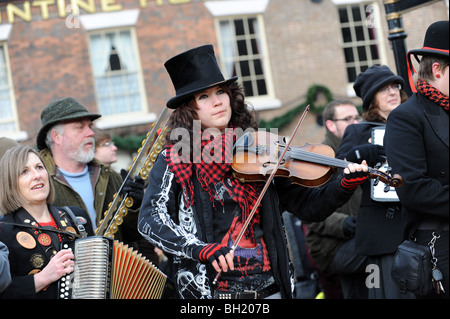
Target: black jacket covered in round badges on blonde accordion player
25,262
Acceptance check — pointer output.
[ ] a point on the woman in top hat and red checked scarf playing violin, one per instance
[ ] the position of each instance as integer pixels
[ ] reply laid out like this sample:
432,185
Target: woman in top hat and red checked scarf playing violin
194,209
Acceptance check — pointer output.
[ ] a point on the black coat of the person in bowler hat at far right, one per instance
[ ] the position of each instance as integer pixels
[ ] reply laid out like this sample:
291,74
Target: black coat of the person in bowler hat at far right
416,142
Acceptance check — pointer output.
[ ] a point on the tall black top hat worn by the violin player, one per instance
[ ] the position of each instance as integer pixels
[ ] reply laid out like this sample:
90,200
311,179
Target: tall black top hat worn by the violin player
193,71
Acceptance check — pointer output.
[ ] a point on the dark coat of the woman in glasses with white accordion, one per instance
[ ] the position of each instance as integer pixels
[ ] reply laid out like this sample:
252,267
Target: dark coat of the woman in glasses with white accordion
378,226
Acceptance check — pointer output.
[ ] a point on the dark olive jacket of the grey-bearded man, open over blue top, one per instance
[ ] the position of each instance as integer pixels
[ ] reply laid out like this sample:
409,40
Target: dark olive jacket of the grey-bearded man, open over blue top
106,183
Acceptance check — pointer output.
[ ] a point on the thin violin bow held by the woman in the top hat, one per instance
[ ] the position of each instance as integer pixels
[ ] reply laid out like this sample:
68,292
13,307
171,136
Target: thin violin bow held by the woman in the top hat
266,186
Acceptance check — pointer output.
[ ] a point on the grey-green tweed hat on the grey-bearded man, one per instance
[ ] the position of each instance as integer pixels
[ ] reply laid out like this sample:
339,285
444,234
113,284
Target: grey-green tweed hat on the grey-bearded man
66,109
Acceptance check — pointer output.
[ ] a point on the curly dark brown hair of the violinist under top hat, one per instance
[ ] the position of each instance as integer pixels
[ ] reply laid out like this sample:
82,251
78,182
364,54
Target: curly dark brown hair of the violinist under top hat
242,115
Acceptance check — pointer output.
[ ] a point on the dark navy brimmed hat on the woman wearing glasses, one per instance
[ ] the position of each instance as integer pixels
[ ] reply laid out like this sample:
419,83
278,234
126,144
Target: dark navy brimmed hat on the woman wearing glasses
370,81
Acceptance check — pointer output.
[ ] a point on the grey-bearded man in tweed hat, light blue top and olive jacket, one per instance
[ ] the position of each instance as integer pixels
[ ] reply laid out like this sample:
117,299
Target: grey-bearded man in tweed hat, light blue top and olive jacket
67,145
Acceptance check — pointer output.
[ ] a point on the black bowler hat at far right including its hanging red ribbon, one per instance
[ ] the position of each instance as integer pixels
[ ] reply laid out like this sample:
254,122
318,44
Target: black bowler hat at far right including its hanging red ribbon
436,43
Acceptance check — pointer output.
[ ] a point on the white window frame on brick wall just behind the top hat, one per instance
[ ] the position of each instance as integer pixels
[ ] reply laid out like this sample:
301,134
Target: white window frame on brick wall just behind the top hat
231,10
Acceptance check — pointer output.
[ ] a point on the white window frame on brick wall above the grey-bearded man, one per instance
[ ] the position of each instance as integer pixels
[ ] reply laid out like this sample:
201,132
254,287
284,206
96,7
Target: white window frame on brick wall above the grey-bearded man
102,23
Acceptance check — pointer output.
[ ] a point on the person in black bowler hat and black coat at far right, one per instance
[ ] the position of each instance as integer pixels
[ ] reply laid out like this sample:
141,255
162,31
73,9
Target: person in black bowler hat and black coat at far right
417,145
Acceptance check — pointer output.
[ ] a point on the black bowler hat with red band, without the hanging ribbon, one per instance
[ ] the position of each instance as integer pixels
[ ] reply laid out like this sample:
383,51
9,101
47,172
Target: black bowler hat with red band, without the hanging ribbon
436,40
